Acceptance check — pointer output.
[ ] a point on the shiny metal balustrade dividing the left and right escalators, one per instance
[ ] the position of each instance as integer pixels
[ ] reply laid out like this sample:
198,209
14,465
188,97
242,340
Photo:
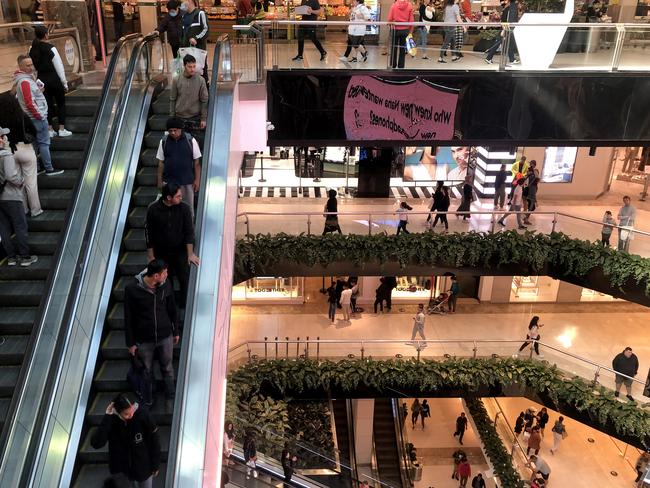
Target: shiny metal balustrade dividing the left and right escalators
53,448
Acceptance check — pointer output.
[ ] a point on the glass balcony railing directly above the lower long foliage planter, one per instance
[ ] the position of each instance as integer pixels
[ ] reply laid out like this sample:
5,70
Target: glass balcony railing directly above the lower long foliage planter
340,349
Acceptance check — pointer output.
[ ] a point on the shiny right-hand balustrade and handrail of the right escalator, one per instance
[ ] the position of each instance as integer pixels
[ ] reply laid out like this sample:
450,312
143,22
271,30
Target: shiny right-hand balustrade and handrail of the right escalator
175,461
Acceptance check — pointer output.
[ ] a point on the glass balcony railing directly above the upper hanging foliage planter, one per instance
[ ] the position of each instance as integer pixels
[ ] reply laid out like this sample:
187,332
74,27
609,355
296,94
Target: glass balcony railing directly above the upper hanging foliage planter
374,222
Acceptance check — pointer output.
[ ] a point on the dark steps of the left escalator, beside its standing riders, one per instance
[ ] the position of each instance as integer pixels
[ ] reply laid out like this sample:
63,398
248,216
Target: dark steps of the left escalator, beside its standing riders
22,288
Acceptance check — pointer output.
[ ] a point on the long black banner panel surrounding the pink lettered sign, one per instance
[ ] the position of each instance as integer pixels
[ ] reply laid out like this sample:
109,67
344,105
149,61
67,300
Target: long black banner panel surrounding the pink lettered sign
512,108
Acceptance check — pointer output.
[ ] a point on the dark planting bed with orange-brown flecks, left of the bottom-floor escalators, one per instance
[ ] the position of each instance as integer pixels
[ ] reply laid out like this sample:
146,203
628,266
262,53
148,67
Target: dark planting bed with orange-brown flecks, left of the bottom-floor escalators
310,427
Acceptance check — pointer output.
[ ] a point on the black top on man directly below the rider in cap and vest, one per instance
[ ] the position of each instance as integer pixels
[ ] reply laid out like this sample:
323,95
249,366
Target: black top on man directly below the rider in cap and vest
169,227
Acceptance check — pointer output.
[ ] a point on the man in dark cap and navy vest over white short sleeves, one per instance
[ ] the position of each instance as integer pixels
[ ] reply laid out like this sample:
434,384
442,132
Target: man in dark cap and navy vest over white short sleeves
179,160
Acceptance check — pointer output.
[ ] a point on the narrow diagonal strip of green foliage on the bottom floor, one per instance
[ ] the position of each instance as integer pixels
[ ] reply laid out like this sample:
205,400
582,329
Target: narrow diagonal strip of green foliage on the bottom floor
494,448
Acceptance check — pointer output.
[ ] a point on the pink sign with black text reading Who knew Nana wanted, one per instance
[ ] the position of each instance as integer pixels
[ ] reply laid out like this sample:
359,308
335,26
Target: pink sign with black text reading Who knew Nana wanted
377,109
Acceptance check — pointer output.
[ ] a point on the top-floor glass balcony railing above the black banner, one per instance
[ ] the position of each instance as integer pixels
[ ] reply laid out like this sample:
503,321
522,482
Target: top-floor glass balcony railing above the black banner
597,47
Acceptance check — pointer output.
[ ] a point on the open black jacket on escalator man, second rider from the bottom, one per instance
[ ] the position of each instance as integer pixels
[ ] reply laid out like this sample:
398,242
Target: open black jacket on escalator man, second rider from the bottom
149,315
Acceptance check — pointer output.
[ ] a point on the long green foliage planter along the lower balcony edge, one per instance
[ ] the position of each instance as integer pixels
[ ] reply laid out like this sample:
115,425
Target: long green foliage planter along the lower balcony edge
468,375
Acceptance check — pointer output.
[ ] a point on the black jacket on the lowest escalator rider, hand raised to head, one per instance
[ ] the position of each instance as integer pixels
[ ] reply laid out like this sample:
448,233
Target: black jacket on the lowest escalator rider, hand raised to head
133,446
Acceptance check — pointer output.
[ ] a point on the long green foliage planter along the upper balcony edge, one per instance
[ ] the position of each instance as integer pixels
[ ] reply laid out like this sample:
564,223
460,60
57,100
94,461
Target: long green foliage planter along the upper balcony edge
567,256
